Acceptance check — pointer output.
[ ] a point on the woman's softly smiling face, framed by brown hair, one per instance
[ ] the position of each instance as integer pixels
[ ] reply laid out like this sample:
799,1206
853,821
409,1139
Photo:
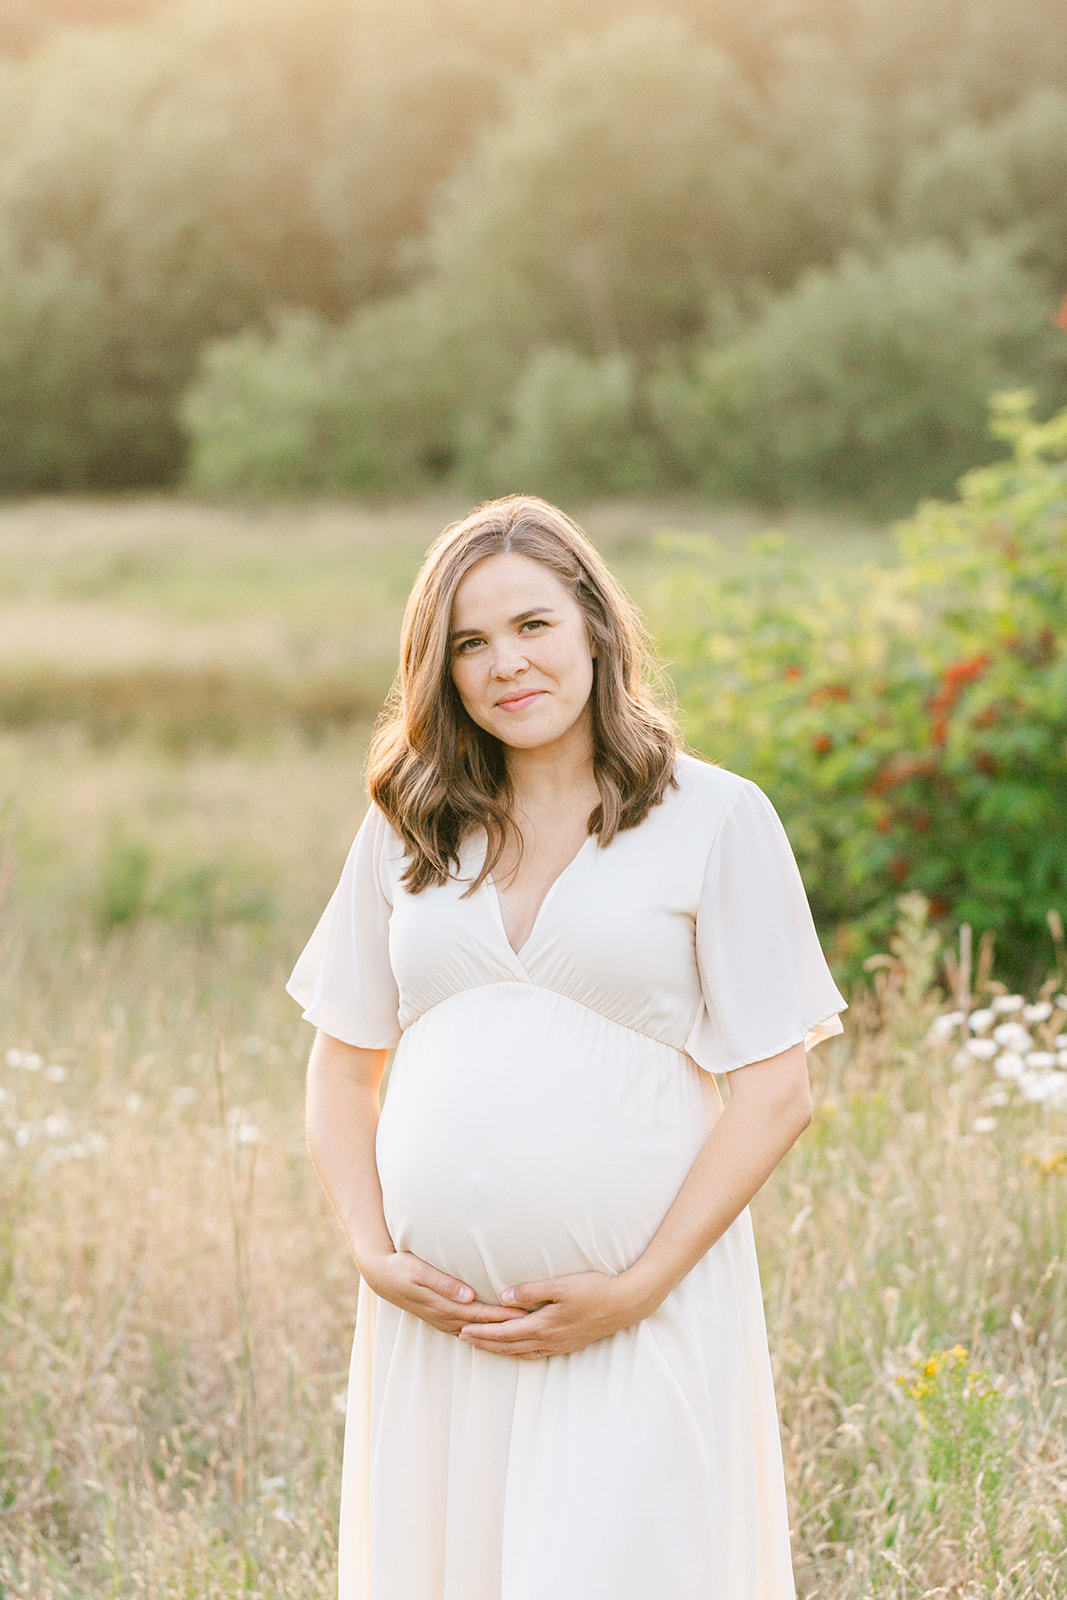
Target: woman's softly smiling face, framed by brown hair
521,654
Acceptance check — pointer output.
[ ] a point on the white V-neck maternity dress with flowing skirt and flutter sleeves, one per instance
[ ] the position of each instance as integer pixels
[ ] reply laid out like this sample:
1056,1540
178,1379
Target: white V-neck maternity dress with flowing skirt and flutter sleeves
543,1111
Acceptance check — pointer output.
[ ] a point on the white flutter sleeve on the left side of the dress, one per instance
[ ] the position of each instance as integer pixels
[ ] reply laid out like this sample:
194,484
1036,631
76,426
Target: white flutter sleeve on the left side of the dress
345,980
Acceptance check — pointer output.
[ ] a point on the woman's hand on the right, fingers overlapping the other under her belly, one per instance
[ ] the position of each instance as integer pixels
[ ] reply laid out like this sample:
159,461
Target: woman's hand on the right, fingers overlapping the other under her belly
564,1316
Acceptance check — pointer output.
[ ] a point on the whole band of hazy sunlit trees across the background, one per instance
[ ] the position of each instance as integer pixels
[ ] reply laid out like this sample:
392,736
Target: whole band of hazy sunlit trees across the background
780,252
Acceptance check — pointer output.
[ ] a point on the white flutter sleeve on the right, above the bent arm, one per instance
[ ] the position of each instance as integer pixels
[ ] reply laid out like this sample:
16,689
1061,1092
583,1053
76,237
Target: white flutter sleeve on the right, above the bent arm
764,977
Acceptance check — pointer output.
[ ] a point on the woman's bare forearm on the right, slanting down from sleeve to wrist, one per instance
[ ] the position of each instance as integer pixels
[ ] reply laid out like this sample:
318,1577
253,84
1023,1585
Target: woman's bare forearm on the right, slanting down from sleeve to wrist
769,1110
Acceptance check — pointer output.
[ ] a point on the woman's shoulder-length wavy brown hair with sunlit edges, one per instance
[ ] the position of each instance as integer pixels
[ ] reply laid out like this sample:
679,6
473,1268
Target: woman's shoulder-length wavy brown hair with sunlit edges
438,775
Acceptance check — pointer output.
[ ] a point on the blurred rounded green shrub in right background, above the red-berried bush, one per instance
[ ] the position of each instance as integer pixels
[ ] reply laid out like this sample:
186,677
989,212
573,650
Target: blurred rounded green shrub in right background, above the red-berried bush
865,383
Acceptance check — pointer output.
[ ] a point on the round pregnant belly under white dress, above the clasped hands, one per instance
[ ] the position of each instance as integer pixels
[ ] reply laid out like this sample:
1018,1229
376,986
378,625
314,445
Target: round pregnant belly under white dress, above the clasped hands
526,1137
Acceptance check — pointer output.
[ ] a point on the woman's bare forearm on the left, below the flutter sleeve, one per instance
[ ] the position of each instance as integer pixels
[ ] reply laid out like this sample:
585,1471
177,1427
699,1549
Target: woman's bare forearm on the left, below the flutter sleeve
343,1106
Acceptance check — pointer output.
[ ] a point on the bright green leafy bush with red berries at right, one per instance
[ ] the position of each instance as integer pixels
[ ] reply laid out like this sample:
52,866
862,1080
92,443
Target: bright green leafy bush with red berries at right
911,722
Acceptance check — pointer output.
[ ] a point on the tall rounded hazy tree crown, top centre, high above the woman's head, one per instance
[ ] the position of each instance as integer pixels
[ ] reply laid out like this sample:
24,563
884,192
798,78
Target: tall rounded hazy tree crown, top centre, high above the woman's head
625,183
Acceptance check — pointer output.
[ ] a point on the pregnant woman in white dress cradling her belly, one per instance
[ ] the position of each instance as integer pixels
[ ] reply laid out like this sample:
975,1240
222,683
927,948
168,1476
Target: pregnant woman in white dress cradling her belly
561,1382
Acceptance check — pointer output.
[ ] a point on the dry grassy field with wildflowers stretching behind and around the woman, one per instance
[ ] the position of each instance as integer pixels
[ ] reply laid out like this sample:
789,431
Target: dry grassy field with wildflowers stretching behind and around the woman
185,702
